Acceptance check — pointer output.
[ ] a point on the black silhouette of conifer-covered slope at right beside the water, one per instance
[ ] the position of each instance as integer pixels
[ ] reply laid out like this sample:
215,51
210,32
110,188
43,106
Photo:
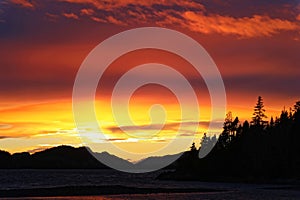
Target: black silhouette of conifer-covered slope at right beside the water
258,150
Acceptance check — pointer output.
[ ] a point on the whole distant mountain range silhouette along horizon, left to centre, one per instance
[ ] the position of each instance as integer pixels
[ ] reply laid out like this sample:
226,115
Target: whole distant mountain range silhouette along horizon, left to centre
68,157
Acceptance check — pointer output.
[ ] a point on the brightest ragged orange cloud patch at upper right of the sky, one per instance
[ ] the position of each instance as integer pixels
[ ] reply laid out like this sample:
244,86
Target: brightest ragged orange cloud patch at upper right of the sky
254,26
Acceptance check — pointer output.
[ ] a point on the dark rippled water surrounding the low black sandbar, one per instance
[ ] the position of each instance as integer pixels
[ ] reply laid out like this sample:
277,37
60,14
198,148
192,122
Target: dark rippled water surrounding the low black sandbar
31,179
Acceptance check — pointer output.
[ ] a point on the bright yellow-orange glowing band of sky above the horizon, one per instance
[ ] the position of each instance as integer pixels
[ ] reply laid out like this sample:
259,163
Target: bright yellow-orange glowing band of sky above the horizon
38,126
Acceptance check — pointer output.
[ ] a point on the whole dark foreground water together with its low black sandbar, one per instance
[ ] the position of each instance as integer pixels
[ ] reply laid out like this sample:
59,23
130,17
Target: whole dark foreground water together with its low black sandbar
111,184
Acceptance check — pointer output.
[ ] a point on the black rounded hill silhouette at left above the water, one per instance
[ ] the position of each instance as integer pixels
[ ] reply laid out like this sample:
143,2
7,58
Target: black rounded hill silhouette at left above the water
61,157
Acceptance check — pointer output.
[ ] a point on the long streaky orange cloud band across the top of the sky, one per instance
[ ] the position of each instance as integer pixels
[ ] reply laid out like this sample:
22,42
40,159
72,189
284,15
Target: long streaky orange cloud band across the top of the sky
193,16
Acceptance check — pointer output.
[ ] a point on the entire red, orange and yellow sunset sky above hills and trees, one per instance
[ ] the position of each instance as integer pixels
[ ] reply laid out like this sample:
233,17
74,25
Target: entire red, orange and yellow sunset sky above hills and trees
255,45
